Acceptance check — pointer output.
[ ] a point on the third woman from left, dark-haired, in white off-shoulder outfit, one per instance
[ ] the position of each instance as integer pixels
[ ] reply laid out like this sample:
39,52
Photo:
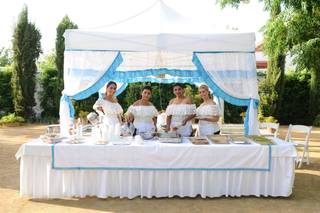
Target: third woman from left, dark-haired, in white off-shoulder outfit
179,112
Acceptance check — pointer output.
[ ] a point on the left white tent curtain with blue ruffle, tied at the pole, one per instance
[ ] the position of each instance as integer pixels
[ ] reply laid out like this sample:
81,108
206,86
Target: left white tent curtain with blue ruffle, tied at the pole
82,70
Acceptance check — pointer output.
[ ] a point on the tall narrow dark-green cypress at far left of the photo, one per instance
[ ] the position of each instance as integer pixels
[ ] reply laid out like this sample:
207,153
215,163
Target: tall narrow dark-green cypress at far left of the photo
26,50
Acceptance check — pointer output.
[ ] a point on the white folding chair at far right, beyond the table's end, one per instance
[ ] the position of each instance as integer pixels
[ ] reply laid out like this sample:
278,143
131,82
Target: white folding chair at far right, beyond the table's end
305,144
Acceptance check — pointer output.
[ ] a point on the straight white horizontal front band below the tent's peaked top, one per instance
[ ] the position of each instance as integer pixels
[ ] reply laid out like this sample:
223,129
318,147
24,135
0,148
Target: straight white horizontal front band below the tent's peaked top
86,40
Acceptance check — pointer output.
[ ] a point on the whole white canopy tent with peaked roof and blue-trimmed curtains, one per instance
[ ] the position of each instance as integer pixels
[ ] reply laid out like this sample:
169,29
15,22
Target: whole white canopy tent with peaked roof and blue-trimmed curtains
225,62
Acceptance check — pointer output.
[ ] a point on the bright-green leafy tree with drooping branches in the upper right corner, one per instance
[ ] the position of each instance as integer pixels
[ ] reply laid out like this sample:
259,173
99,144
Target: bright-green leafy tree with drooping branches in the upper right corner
294,26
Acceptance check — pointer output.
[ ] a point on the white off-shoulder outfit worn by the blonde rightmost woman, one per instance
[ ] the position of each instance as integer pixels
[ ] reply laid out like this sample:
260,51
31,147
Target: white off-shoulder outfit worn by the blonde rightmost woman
206,127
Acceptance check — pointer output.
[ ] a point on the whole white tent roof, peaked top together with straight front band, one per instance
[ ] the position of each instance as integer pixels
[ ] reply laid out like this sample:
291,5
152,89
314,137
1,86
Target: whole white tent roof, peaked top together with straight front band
160,28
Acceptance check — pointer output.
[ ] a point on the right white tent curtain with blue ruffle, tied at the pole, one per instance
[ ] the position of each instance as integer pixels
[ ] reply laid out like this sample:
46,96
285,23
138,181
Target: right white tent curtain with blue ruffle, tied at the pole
235,74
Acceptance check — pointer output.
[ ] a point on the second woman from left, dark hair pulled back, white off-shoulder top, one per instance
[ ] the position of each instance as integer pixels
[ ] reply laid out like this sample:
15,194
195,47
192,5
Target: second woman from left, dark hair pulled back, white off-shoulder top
143,113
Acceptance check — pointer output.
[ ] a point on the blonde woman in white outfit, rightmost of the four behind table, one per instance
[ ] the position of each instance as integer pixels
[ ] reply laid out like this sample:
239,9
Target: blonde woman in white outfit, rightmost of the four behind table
207,114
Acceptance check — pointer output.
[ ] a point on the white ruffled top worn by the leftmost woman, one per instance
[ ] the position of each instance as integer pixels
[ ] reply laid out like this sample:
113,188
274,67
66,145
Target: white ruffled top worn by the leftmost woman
112,111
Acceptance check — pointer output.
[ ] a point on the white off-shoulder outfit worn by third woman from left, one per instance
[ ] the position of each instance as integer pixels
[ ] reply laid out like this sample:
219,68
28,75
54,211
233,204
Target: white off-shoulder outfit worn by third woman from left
180,112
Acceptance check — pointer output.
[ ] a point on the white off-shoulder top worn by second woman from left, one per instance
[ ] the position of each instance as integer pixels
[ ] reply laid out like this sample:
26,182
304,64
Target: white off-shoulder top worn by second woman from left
143,117
